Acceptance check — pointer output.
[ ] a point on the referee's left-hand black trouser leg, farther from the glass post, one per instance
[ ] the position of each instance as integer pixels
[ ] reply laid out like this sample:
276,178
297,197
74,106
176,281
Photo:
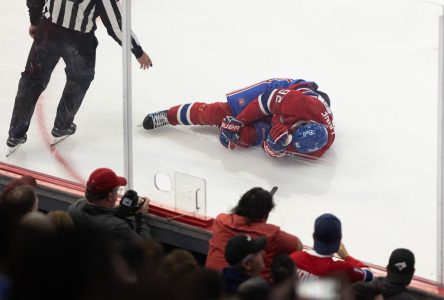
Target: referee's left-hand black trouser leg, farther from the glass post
42,59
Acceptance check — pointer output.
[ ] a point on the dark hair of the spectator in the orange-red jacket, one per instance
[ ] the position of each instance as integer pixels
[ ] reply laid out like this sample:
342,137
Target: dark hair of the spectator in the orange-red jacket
255,205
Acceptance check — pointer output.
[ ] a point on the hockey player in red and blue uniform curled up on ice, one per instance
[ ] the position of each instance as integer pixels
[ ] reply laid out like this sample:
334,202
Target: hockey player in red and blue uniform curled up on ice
284,116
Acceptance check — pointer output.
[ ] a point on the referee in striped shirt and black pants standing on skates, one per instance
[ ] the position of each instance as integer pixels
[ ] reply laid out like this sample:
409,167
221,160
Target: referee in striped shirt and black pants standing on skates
64,29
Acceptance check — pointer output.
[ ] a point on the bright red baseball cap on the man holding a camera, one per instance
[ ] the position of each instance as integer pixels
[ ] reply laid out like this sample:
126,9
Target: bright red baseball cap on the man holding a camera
105,180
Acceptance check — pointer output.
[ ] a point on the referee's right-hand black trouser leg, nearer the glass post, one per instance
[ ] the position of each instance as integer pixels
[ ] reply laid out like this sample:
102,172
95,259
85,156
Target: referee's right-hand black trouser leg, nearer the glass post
80,59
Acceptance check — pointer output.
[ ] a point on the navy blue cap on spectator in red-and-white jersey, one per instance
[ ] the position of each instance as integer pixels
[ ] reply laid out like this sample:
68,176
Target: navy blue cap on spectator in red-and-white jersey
327,234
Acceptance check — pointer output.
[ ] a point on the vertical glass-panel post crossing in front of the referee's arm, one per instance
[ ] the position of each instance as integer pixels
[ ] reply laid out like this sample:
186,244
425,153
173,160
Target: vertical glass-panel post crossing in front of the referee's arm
127,96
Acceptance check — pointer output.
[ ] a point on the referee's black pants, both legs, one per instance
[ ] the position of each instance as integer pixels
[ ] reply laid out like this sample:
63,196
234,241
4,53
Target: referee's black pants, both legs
52,42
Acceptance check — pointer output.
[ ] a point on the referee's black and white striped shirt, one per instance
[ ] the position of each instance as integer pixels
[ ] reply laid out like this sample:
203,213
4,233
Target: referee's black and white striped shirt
81,15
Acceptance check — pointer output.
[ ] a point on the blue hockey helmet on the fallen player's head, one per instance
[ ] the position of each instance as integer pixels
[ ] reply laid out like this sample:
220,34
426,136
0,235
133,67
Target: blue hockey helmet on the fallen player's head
310,137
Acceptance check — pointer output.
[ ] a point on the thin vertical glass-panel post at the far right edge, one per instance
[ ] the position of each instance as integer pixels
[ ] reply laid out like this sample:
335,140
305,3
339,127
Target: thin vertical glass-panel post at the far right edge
440,206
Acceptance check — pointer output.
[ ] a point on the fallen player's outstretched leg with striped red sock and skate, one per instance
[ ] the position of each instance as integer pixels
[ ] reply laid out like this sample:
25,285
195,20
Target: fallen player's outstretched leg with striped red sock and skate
197,113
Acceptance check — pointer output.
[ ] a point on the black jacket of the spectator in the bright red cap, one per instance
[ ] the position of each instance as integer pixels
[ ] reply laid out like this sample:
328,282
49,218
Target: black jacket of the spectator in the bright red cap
114,225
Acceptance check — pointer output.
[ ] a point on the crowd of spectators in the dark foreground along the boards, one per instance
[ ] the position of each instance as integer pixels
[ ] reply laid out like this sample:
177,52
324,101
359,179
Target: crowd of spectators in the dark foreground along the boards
97,250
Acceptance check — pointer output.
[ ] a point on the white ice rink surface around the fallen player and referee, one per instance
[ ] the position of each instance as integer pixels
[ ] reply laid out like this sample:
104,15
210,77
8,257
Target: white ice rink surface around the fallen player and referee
377,60
